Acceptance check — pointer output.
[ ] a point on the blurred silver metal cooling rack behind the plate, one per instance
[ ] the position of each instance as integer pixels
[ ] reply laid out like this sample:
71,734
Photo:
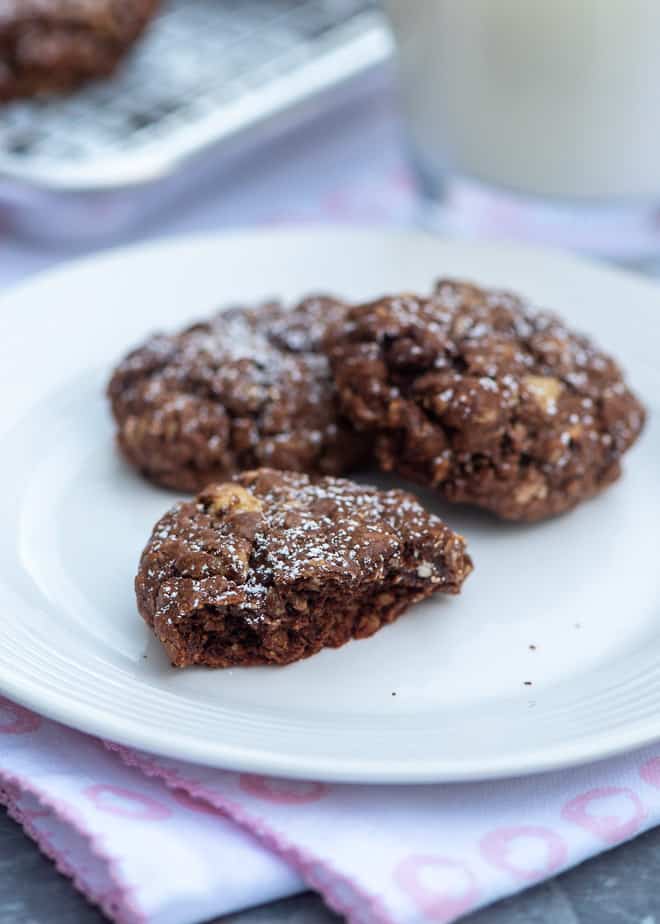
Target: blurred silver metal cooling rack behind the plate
206,73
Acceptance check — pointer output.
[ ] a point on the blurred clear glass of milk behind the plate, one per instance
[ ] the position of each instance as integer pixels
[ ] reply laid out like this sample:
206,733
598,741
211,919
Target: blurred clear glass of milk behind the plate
545,115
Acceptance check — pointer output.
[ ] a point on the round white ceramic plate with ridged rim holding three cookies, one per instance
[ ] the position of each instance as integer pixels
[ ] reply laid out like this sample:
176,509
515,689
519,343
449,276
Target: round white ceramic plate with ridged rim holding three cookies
584,589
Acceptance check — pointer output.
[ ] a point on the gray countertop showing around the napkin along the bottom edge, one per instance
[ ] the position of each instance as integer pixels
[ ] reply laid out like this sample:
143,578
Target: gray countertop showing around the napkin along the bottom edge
618,887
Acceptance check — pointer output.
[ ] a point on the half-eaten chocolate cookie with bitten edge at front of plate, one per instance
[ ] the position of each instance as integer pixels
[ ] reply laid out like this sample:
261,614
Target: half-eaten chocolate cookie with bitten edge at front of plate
274,566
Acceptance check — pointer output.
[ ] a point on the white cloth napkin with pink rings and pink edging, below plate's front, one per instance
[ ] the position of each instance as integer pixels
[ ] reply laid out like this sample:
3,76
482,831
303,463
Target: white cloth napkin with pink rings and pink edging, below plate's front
158,841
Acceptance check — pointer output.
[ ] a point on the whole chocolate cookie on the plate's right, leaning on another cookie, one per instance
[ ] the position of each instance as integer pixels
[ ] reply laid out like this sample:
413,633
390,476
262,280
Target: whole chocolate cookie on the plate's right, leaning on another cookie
492,402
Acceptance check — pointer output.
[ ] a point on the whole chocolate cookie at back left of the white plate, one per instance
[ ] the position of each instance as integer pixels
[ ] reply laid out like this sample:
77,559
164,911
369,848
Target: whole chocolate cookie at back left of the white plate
245,389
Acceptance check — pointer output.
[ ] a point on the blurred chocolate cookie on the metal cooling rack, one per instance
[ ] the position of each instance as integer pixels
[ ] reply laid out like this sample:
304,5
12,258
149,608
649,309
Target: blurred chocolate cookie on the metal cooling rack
51,46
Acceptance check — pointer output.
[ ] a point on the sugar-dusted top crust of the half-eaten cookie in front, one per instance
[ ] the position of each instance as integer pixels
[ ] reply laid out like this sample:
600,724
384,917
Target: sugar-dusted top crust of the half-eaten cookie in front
305,537
